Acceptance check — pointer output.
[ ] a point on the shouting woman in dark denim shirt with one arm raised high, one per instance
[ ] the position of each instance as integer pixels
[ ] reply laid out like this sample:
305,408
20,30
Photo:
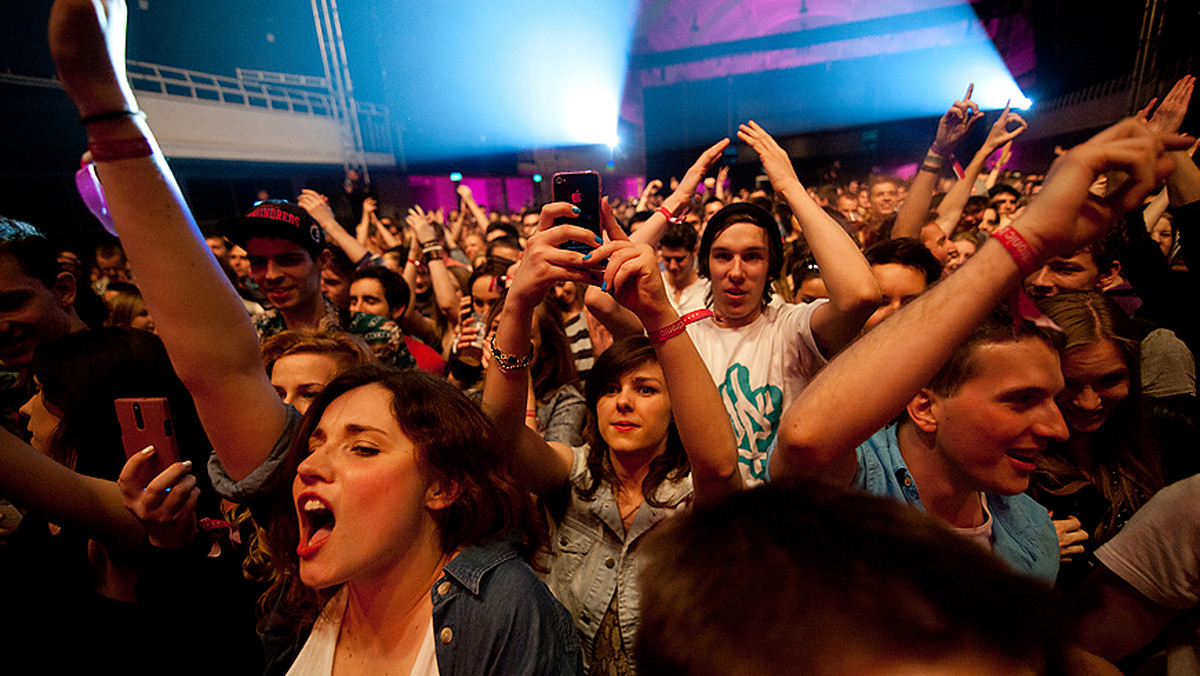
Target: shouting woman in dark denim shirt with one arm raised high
380,530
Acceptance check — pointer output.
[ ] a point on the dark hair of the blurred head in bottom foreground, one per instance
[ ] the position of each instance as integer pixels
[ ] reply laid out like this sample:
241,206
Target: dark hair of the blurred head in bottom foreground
855,579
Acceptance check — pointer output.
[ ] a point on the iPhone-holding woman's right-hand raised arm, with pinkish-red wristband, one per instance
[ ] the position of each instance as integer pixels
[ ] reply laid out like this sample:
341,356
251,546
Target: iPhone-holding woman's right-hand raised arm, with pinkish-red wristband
705,429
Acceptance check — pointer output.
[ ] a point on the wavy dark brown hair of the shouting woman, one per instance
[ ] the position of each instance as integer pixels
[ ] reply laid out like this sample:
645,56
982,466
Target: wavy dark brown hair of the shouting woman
455,444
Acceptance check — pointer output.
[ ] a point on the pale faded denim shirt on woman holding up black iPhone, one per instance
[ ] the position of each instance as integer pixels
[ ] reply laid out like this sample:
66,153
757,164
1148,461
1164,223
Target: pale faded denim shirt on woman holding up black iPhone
595,558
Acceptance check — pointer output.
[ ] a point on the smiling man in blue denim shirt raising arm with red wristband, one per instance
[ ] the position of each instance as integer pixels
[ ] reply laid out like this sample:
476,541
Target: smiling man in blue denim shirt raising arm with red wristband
977,390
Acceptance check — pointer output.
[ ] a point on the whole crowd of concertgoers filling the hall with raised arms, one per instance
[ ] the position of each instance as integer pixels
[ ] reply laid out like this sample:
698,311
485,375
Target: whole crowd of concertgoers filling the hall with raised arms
883,426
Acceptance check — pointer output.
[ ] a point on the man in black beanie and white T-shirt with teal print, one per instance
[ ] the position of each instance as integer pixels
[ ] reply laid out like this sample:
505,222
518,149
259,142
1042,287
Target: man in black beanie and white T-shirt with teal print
761,356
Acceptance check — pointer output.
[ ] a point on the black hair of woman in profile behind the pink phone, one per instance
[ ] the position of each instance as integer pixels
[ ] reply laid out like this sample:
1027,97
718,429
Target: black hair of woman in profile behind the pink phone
82,374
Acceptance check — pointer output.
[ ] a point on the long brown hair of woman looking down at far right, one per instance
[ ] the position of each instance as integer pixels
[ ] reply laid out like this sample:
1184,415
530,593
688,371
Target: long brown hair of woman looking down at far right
1120,464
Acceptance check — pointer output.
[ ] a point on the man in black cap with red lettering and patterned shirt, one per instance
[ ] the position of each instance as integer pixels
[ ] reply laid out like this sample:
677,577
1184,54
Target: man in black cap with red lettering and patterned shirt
287,253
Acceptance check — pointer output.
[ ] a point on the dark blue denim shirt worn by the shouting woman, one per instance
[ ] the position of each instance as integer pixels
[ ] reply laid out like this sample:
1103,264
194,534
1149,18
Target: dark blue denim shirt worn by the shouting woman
491,613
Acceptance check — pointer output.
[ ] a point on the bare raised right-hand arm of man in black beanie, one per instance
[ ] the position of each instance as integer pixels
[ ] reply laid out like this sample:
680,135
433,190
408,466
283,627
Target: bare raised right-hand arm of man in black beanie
854,291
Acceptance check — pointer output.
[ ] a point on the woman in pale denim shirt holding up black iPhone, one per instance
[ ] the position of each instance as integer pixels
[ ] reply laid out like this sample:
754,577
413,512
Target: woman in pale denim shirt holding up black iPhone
659,438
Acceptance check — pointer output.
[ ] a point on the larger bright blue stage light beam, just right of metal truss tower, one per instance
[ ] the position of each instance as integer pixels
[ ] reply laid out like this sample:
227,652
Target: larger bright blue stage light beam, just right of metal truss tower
507,76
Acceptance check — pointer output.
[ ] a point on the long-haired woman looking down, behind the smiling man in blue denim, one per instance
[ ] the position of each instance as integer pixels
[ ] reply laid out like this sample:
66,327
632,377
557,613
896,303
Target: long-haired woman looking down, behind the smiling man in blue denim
1095,481
